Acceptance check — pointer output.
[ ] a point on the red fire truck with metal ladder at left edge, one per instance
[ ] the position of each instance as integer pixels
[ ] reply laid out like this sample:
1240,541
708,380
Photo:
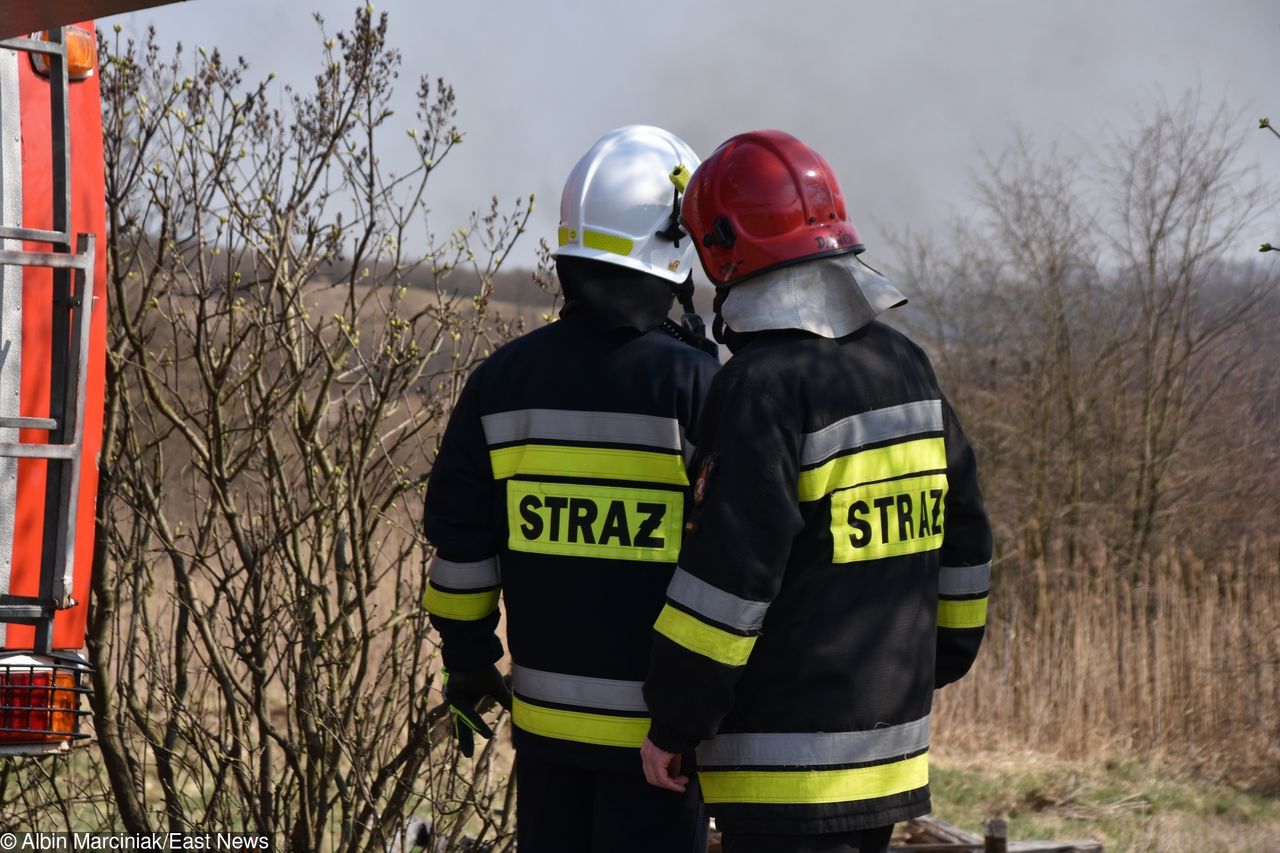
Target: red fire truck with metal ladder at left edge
53,348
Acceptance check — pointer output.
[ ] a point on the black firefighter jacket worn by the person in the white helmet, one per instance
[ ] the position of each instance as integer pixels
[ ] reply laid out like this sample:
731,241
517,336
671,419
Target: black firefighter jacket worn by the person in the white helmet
561,482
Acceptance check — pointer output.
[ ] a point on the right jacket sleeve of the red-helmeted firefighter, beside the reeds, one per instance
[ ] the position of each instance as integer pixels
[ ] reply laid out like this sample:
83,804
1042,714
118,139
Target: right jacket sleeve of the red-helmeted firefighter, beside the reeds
966,574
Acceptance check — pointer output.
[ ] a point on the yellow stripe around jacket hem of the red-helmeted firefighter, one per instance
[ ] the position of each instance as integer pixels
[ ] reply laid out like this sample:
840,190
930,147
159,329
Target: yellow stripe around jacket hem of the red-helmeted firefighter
807,787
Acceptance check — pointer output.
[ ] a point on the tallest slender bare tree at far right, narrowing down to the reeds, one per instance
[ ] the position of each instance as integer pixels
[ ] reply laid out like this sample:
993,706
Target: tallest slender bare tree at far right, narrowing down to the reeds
1181,204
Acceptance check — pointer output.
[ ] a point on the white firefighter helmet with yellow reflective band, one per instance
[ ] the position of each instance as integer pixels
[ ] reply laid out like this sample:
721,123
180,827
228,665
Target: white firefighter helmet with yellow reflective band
621,203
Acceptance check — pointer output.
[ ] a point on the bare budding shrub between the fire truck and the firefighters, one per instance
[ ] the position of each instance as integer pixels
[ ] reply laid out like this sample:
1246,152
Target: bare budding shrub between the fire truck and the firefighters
287,337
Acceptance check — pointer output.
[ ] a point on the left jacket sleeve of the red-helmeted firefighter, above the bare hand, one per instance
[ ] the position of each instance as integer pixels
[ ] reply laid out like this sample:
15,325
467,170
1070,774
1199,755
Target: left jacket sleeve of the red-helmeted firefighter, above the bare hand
737,548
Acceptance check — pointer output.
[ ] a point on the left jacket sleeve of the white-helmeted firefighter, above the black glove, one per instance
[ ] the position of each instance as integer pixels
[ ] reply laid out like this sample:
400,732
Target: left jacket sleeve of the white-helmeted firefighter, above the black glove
464,578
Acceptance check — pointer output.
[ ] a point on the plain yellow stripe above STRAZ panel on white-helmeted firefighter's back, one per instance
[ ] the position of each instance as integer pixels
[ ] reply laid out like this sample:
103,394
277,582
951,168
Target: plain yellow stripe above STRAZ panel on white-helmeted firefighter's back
598,463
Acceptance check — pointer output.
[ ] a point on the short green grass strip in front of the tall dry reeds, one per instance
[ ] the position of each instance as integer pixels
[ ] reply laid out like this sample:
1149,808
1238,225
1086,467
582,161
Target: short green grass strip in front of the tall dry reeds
1127,805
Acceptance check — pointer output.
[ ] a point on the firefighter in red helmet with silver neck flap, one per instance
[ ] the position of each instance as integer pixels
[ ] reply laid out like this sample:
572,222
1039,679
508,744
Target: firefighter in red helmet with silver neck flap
836,563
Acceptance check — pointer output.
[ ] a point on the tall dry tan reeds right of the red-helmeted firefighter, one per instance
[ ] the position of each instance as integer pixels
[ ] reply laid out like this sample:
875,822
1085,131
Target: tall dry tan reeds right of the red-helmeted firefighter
1180,663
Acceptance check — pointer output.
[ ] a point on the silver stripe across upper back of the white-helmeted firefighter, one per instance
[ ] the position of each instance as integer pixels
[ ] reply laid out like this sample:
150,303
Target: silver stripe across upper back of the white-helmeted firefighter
556,425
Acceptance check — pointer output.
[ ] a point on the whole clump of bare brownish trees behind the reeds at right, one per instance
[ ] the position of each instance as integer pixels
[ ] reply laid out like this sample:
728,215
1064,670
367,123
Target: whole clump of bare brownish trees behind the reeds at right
1090,320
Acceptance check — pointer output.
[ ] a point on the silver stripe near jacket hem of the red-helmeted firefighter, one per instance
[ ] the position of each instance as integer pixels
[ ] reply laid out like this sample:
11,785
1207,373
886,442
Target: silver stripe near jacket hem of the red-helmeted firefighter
815,750
